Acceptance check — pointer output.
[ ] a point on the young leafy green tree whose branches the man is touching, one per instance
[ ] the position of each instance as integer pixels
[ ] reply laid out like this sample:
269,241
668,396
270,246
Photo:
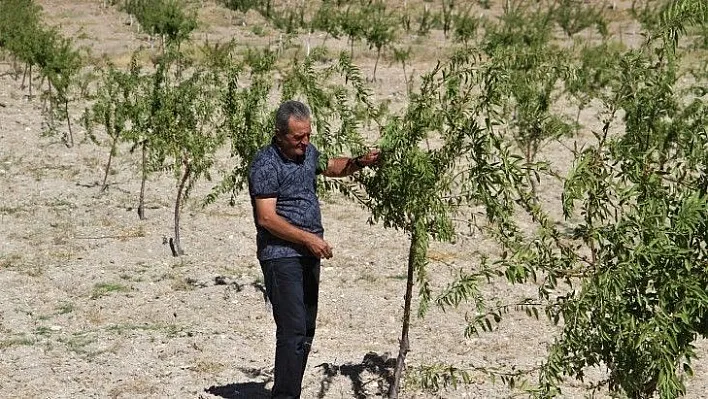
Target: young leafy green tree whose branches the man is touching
420,190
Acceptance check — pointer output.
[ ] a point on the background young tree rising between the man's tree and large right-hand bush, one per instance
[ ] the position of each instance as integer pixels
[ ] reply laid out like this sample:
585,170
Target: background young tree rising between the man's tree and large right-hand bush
530,71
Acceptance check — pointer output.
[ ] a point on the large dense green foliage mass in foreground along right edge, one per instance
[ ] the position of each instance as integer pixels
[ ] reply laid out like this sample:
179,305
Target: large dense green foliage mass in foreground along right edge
632,253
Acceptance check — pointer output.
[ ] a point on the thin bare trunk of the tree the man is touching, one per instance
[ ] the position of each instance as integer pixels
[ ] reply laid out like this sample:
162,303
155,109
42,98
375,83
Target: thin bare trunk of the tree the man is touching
416,257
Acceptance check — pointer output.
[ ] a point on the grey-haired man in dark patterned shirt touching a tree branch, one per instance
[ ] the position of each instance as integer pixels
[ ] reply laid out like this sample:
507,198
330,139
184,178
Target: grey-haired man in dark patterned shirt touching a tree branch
290,243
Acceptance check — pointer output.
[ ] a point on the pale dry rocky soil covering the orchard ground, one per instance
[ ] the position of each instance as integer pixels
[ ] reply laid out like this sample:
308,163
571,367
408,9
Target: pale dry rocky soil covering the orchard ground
93,305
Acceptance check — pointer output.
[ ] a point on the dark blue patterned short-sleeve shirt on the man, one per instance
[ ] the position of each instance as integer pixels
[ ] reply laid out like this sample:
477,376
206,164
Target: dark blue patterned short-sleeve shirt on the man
293,184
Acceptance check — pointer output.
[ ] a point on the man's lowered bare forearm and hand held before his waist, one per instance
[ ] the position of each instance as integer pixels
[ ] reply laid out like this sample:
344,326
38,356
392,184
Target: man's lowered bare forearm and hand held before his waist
267,218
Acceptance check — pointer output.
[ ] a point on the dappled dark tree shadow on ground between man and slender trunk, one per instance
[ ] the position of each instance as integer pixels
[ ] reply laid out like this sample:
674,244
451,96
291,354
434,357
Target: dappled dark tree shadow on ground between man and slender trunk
381,367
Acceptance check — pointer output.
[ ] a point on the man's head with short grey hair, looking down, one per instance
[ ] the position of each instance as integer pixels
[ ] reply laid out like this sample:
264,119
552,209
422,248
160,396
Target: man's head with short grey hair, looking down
293,128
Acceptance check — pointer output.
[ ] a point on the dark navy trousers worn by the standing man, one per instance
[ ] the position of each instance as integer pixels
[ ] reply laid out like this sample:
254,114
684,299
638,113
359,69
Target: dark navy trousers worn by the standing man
292,285
